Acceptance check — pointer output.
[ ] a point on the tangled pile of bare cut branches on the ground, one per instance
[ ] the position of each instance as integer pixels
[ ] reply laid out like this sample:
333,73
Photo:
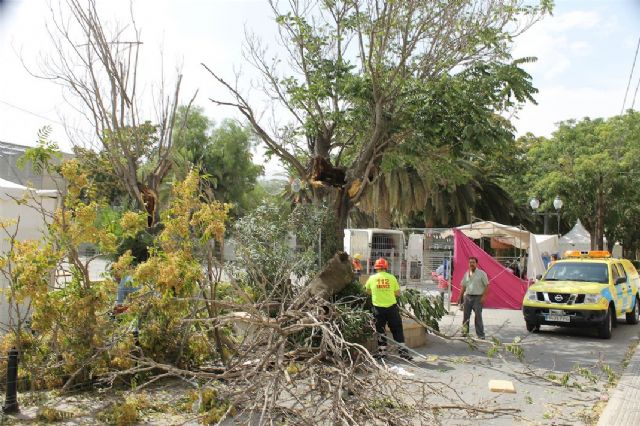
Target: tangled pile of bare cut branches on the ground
291,362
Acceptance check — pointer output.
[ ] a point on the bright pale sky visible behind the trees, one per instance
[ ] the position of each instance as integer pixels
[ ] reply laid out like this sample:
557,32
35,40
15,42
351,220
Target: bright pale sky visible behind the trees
584,51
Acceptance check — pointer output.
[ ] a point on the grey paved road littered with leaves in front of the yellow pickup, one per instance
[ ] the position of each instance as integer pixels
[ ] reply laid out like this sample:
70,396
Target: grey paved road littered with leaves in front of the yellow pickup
588,362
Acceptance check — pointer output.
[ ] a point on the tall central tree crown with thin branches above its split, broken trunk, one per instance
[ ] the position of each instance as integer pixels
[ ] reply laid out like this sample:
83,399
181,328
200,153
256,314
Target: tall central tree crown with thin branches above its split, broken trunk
354,68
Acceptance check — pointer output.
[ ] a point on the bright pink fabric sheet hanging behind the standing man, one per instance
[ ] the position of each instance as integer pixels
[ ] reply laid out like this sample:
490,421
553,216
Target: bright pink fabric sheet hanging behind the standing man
506,290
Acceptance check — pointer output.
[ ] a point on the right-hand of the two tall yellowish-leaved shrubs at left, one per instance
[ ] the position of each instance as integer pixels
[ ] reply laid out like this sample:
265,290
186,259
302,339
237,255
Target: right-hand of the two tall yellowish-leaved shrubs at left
174,273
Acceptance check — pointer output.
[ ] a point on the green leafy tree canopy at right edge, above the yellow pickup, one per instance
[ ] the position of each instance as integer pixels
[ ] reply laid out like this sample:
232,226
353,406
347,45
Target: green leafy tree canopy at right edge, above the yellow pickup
592,164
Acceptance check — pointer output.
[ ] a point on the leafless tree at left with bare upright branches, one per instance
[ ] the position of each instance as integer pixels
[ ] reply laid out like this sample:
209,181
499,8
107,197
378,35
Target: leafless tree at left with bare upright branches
99,68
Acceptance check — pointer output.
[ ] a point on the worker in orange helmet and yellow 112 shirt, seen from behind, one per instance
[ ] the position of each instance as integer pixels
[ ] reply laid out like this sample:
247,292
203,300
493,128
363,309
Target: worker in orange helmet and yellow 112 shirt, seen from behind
384,290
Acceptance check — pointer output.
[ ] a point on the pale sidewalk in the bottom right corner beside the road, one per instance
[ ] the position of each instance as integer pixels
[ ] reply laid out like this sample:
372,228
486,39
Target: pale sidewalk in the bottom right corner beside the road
624,406
